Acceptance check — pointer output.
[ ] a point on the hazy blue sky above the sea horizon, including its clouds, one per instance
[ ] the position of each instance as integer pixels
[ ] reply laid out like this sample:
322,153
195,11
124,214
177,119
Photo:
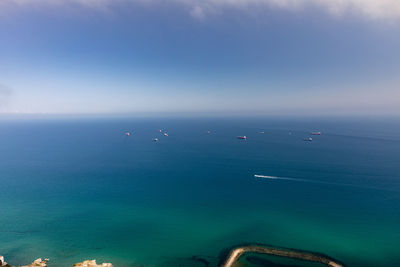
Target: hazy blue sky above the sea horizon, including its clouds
200,56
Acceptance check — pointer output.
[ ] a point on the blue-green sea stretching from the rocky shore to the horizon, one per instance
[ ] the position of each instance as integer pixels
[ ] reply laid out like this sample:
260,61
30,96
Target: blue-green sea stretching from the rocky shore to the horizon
76,189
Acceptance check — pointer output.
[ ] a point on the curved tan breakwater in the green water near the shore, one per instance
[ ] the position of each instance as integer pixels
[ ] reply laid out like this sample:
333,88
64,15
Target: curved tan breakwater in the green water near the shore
235,254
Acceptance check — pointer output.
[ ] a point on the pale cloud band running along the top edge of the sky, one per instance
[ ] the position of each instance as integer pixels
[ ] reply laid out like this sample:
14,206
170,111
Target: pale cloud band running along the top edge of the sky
200,9
